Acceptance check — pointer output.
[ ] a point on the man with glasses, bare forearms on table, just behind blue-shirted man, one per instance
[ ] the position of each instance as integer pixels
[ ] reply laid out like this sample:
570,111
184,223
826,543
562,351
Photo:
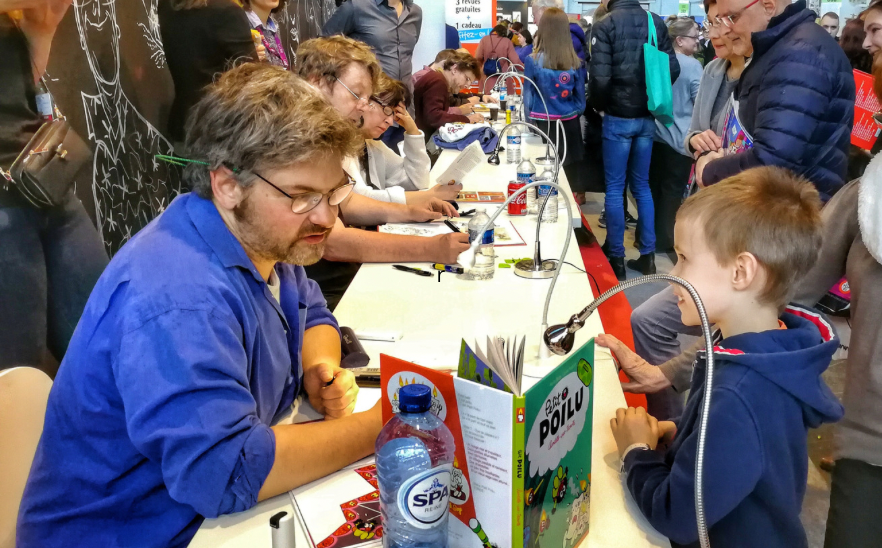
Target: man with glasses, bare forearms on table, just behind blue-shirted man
345,72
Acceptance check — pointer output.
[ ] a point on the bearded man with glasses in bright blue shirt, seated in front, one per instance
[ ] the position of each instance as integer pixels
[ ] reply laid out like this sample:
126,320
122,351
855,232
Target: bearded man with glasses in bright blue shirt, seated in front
201,333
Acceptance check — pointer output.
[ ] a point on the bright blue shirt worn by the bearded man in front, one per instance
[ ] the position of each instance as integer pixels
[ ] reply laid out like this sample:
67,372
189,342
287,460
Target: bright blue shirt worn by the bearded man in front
160,414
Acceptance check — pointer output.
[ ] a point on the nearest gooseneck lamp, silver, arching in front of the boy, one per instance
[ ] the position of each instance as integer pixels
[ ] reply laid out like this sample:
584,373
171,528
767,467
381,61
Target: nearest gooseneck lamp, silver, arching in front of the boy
559,339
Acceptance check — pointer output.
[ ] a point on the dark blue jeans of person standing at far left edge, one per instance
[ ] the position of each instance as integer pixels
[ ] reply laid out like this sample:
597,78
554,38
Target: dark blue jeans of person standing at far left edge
50,260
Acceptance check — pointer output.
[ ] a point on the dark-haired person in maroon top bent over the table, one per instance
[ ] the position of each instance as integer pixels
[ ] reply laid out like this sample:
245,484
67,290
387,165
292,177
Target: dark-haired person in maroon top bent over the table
431,95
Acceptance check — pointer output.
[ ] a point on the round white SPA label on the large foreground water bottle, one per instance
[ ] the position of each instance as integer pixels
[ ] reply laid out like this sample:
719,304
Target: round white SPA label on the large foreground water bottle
424,499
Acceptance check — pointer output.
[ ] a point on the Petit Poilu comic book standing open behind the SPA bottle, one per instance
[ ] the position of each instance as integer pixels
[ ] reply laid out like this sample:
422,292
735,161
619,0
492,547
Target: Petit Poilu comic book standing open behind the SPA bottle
525,460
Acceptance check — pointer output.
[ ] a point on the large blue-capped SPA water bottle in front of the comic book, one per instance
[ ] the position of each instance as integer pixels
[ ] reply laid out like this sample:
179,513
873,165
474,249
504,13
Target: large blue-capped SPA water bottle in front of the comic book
414,462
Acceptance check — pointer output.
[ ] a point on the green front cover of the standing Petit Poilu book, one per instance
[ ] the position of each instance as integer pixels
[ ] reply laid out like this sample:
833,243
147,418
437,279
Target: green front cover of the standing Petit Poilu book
557,448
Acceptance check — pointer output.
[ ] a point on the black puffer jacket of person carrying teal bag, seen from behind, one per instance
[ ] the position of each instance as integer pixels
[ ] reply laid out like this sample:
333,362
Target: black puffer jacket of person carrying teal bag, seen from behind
617,76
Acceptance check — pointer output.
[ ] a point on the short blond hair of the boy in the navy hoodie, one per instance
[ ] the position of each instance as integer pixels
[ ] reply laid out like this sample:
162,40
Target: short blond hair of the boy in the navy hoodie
768,212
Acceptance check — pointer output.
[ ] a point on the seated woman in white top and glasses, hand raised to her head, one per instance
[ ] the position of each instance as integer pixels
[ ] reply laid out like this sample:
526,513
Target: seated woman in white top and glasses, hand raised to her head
379,172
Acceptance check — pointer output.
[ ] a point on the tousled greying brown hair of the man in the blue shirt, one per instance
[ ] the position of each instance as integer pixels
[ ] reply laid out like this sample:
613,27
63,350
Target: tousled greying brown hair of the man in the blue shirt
260,117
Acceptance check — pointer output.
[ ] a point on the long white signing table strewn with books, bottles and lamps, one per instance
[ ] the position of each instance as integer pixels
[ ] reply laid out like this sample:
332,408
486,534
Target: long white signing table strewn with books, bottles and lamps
434,317
